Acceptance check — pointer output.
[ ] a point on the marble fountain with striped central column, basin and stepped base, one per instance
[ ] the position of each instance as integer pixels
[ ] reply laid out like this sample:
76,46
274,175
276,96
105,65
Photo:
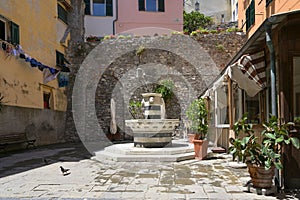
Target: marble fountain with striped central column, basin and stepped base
152,137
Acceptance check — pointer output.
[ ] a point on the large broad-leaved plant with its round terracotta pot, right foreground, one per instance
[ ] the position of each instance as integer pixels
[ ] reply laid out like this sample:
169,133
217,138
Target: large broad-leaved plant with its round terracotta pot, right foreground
261,158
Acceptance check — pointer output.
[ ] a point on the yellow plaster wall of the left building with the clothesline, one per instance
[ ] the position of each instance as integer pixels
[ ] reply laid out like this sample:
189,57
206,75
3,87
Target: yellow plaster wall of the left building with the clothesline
40,34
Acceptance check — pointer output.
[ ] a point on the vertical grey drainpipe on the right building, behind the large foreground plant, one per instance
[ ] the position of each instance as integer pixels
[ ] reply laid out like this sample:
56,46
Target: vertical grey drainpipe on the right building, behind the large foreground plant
273,85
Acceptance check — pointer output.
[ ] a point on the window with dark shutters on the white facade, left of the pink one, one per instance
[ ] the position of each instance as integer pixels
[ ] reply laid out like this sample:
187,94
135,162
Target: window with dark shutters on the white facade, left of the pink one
99,7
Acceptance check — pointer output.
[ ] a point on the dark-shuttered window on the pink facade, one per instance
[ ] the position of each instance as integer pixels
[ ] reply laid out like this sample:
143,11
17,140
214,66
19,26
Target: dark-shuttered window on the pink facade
152,5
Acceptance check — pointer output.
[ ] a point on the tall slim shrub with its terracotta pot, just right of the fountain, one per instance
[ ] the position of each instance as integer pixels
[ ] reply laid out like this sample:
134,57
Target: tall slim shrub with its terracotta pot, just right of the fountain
197,114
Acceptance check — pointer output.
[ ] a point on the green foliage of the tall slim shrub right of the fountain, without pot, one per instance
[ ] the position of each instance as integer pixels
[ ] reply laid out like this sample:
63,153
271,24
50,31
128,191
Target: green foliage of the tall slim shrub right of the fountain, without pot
197,113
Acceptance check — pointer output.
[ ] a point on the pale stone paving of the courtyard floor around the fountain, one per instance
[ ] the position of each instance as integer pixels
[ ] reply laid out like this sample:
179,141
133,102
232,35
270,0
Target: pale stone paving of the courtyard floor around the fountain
35,174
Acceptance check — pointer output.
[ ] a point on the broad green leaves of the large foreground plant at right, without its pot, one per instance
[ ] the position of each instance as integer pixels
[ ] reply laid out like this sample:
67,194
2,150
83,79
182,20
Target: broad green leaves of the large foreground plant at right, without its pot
267,153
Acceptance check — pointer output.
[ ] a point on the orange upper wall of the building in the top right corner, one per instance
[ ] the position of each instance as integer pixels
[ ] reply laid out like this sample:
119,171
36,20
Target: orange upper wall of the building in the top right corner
262,12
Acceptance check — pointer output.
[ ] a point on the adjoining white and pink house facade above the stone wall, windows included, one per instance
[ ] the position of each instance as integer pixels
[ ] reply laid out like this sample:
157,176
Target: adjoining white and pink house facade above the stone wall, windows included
138,17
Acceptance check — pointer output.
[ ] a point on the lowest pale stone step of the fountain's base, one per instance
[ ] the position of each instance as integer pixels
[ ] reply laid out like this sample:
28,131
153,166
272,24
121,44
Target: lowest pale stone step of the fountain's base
105,155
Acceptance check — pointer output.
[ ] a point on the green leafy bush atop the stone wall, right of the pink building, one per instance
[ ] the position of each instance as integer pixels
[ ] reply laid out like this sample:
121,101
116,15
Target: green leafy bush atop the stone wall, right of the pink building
194,20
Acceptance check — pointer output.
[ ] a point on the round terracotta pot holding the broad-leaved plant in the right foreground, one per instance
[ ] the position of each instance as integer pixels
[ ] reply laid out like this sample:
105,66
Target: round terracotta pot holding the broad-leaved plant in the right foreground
261,178
